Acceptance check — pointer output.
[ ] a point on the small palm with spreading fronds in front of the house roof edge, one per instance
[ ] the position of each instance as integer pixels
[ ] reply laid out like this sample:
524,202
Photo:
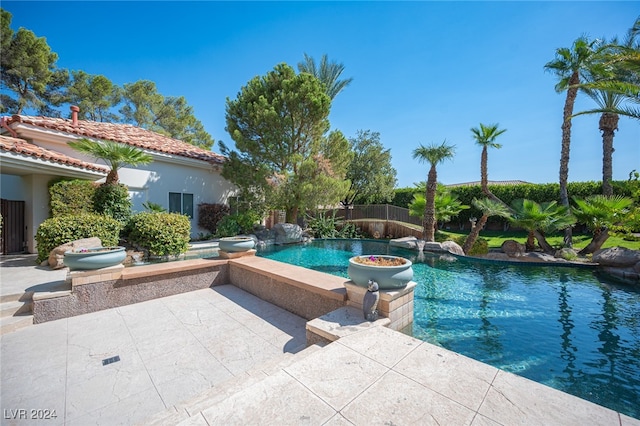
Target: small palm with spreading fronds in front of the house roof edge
116,155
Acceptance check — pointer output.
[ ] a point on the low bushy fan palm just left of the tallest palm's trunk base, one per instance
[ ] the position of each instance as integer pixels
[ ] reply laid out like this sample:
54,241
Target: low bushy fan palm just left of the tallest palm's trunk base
539,219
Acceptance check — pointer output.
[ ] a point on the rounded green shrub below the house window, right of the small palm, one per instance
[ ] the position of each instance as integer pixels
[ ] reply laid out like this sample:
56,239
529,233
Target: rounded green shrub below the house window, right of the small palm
160,233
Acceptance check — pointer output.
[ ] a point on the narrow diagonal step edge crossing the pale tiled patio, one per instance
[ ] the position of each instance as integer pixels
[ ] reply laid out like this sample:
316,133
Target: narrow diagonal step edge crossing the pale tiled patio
188,411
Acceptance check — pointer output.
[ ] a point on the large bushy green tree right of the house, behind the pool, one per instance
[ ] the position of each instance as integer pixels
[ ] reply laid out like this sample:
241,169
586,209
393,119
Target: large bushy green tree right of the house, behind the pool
284,157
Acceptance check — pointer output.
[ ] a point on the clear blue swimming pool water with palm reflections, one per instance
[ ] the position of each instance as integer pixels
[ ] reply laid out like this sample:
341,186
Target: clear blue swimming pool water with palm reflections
560,326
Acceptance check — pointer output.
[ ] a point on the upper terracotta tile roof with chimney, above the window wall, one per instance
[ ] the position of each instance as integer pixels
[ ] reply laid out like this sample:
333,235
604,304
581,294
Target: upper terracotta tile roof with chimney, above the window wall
124,133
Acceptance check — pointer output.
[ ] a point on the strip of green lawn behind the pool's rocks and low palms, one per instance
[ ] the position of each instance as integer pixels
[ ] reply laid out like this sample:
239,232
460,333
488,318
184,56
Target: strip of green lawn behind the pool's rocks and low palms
496,238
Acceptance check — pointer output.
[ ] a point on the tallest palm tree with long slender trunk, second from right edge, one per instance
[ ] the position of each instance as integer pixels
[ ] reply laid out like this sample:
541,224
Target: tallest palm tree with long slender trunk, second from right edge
572,66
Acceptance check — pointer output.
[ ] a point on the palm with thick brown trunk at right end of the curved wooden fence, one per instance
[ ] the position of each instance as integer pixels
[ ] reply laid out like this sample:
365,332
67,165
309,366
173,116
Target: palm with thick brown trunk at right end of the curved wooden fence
433,154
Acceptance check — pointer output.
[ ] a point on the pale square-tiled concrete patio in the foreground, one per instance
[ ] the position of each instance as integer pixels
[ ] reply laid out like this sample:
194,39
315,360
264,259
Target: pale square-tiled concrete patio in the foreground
223,356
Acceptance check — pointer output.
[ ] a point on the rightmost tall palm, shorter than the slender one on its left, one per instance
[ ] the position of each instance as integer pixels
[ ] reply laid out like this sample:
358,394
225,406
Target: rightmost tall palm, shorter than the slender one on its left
607,102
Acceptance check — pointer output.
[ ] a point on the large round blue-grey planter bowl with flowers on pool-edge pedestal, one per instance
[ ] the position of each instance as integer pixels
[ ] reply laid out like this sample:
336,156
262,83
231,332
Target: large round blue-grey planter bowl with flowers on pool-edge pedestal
387,277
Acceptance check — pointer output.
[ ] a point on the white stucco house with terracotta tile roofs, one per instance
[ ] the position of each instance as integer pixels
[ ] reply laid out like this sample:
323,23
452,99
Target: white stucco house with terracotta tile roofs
34,150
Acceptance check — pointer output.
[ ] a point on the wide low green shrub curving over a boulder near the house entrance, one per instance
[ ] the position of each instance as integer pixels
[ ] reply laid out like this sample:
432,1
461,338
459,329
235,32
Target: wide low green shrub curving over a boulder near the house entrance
63,229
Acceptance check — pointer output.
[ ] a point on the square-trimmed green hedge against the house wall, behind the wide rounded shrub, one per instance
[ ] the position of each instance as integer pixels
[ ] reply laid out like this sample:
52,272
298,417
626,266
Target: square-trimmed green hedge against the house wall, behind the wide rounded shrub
69,197
